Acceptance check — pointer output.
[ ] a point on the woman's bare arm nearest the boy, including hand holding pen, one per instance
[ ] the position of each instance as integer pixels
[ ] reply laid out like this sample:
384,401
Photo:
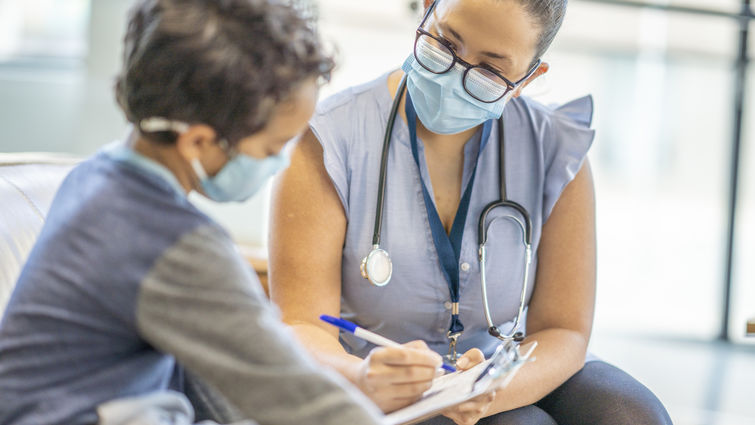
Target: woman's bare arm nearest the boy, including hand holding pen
307,232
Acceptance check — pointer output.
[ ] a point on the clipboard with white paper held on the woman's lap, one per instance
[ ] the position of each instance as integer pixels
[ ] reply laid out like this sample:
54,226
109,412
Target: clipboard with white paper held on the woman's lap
458,387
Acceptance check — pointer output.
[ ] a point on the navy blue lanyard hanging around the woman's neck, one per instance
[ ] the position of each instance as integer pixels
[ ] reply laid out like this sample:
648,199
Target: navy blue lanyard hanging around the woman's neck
447,245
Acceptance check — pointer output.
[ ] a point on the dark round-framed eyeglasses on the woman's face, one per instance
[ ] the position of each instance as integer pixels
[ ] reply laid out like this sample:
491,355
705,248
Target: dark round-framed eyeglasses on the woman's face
436,55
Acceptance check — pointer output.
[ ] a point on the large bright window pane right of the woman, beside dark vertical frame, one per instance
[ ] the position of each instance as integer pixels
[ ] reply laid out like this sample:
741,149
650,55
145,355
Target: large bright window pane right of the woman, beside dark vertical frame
662,84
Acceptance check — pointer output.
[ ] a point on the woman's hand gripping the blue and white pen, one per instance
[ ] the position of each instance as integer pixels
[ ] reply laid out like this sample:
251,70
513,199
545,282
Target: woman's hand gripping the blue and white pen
396,377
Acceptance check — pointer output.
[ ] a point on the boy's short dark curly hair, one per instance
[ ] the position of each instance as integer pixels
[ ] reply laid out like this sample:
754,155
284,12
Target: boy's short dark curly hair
223,63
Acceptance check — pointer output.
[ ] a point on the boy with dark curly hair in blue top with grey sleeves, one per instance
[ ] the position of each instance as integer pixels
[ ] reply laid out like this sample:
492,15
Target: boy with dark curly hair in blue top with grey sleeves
134,308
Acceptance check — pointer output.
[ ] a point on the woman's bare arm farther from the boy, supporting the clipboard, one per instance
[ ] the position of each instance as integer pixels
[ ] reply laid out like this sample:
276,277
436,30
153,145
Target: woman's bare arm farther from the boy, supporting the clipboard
560,312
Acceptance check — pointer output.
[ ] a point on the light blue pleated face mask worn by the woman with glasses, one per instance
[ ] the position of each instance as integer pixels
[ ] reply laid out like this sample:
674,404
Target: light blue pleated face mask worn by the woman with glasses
442,104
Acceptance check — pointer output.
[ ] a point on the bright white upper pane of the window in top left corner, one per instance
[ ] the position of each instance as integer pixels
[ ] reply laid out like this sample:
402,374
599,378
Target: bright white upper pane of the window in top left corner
43,29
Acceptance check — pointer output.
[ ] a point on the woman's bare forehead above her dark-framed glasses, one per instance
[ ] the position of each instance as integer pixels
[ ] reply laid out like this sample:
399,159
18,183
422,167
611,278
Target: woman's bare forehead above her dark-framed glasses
498,33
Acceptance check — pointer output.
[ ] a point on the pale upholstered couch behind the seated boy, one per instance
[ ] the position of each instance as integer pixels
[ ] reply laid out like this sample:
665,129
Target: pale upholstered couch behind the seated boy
28,183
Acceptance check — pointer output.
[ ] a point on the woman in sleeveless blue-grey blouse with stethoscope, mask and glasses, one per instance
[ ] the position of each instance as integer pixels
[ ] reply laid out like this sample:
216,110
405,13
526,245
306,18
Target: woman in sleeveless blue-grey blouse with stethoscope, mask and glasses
414,190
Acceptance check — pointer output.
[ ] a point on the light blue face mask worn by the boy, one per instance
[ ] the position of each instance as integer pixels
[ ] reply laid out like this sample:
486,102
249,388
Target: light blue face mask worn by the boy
240,178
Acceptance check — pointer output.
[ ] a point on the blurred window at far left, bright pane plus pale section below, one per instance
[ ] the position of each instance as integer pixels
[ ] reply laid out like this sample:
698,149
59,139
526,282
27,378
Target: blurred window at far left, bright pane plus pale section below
43,48
